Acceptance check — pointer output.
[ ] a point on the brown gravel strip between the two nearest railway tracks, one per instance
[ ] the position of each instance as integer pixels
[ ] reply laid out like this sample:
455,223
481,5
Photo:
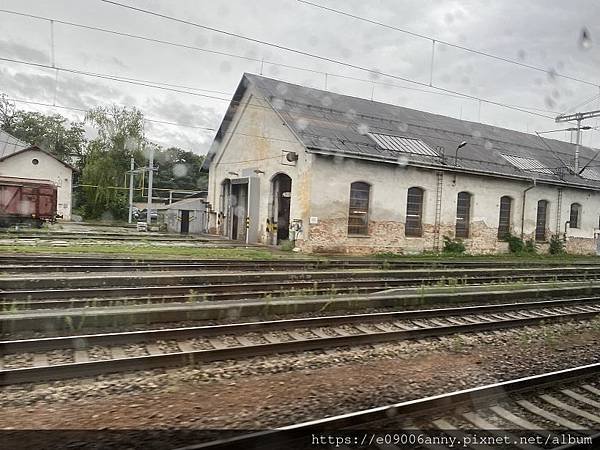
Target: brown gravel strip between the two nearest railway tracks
272,391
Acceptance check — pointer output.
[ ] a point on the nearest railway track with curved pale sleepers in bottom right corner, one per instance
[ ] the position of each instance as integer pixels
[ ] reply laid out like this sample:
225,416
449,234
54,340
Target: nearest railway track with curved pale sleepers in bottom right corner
556,410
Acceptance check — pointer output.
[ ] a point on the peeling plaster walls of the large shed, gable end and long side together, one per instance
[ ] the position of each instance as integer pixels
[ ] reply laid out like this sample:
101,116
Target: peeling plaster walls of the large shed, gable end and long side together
255,145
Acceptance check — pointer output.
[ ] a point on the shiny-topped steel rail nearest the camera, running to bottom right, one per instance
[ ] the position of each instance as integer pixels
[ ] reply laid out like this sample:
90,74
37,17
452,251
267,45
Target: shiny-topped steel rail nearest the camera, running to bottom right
286,437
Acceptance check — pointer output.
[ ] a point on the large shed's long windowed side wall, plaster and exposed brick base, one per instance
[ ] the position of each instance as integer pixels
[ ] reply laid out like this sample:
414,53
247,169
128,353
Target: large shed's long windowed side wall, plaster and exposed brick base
387,210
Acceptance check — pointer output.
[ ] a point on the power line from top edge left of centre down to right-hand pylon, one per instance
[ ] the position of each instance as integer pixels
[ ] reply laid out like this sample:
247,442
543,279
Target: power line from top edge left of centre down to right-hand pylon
312,55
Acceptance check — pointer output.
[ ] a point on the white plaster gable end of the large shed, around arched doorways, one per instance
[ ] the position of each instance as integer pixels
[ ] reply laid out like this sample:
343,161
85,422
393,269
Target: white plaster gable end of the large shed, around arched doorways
255,140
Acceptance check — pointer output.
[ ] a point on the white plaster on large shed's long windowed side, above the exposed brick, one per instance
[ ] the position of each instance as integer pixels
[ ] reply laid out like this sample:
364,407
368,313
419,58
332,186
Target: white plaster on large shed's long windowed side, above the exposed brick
331,179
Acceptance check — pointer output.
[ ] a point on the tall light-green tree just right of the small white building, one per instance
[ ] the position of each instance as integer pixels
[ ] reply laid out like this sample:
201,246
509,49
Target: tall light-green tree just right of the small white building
106,162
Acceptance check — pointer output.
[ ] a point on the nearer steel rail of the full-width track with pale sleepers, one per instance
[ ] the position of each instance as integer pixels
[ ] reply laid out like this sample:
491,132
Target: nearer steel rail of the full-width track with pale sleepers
177,359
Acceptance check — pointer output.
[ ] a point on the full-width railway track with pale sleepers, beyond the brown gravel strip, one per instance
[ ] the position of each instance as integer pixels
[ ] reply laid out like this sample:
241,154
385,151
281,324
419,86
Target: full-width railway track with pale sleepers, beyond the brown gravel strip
43,359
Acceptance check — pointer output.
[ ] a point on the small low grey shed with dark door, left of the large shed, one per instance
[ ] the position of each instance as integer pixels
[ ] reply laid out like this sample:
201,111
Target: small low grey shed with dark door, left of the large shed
188,216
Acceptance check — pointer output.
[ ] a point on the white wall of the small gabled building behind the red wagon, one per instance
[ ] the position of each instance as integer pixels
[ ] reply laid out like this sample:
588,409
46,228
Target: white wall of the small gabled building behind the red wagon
20,165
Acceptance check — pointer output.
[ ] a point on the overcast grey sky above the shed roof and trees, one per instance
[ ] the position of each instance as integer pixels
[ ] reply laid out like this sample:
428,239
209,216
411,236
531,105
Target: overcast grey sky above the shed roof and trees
542,33
